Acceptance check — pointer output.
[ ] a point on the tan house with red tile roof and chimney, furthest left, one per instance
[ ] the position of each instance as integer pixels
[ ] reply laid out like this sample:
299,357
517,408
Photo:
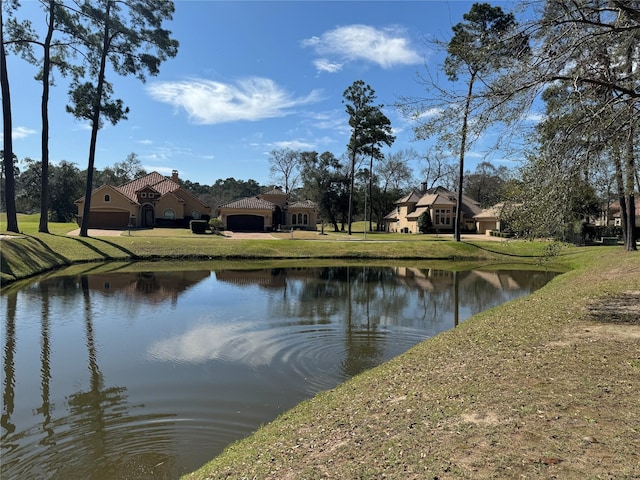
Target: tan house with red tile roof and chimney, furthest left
146,202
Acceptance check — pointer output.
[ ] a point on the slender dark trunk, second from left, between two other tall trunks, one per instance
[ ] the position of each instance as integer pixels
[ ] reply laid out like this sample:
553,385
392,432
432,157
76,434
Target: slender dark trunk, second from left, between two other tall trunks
46,69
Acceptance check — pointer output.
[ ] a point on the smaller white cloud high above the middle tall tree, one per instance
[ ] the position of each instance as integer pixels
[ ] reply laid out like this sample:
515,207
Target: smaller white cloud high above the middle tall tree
384,47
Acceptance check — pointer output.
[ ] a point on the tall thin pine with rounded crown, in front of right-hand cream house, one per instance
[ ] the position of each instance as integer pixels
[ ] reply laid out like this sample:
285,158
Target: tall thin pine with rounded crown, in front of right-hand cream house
484,44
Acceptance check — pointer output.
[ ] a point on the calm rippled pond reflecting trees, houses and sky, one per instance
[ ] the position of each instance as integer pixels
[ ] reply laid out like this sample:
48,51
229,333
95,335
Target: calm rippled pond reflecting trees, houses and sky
149,374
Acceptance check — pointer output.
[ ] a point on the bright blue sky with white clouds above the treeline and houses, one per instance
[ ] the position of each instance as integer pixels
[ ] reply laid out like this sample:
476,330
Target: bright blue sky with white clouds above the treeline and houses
249,77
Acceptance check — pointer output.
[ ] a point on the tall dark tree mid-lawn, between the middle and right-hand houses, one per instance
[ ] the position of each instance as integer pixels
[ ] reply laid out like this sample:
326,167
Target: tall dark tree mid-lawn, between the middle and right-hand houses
369,129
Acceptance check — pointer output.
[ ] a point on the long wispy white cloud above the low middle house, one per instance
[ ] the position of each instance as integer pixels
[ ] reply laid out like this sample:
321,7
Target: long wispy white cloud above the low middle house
209,102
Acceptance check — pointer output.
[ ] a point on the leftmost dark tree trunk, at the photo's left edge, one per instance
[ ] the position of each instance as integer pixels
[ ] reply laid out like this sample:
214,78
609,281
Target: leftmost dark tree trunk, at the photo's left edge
9,168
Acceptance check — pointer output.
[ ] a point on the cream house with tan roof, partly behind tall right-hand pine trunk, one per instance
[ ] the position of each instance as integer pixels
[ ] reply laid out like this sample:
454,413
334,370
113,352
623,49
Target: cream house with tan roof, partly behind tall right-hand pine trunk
439,203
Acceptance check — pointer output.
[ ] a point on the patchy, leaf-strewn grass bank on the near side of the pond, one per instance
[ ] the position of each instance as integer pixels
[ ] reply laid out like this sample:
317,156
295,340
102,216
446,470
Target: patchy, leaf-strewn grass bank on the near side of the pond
535,388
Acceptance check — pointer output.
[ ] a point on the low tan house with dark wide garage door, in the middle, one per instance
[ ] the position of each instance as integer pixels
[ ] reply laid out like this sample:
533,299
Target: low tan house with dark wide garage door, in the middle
268,211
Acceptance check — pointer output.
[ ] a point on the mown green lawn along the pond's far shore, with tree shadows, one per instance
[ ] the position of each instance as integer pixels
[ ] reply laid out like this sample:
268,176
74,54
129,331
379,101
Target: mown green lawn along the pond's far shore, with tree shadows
30,252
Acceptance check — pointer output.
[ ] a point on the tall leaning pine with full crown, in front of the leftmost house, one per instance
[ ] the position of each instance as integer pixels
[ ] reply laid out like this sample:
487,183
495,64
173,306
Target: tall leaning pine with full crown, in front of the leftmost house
129,35
